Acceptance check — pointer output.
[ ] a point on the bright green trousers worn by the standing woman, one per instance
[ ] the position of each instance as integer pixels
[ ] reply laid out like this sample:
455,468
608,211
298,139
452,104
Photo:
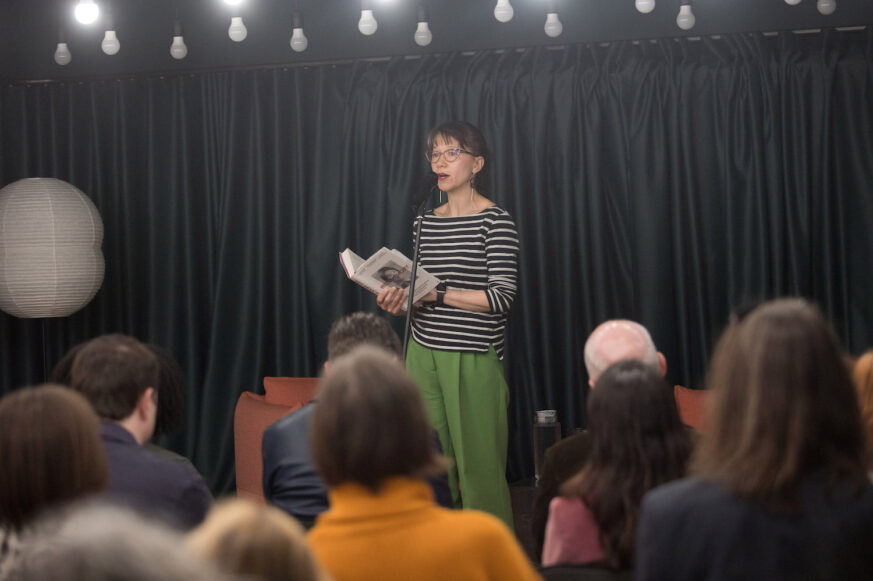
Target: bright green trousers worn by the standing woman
466,397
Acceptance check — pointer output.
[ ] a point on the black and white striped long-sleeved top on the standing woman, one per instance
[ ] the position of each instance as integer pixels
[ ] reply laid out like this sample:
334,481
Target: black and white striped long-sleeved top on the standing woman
476,252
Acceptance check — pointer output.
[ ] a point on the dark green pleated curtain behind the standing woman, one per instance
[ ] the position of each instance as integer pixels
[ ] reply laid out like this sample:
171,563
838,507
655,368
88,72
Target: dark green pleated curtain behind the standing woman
661,181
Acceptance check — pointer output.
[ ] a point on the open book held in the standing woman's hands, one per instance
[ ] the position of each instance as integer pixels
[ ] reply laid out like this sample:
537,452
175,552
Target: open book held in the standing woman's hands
386,268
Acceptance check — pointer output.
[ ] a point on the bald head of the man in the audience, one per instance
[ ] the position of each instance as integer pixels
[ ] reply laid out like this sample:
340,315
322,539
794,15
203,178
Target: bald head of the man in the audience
618,340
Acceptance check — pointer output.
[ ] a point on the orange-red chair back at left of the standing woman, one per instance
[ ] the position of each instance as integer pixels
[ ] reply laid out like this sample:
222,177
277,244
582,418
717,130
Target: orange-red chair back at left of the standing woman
252,416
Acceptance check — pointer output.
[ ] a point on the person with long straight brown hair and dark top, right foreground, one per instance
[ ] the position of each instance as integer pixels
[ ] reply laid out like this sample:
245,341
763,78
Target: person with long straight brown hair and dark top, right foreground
779,487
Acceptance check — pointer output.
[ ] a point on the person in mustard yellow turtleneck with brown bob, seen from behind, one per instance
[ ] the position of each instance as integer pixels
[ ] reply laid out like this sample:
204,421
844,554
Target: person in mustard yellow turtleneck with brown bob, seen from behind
370,443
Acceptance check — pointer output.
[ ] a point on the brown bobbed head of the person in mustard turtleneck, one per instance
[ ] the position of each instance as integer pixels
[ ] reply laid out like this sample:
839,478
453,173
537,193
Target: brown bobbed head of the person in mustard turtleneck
370,423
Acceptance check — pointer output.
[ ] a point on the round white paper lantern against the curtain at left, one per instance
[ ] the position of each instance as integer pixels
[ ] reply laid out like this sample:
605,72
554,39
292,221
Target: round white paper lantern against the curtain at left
51,262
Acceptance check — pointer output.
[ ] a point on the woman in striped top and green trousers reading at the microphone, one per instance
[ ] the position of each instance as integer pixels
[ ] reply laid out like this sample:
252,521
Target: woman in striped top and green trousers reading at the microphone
455,353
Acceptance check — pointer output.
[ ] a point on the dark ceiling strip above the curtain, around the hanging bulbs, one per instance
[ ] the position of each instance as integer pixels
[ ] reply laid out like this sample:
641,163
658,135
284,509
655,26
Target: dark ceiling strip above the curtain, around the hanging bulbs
29,28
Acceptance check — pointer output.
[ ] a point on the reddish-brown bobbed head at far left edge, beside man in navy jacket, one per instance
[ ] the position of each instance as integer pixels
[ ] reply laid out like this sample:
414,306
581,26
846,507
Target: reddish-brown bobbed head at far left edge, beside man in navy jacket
50,451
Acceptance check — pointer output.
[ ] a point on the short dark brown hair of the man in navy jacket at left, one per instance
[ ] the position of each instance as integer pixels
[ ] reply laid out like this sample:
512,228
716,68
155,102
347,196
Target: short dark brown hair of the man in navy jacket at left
112,372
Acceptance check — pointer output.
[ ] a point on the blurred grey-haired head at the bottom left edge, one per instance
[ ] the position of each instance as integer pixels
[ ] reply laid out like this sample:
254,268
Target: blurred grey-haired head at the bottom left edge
105,543
